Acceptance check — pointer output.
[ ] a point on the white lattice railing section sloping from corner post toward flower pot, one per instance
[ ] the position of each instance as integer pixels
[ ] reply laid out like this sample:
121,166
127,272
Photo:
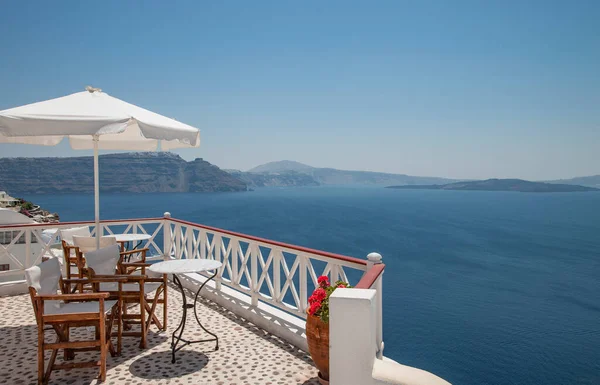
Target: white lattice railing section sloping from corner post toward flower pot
276,273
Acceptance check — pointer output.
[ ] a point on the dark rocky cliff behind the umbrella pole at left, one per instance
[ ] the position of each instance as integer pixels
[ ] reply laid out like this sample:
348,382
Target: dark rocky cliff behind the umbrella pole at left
129,172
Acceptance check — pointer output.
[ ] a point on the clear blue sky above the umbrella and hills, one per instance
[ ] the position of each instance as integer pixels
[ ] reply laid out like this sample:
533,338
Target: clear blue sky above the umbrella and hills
465,89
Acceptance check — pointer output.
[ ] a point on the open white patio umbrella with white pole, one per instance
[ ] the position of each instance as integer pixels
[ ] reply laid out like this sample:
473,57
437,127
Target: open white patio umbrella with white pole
94,120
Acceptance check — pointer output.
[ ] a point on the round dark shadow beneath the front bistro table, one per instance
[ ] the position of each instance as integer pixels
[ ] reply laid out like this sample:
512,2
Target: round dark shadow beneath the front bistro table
158,365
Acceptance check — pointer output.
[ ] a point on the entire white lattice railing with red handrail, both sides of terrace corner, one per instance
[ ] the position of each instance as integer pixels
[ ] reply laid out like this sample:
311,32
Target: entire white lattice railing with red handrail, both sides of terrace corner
279,274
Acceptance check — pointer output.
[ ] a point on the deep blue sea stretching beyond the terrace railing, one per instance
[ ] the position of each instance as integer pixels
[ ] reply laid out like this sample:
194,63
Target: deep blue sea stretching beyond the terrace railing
480,287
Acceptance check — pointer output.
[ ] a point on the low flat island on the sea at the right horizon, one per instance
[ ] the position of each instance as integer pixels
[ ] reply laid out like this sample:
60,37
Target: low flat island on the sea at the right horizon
518,185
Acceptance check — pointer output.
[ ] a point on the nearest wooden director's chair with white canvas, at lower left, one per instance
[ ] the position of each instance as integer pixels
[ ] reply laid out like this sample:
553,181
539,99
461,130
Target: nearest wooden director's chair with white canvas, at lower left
64,311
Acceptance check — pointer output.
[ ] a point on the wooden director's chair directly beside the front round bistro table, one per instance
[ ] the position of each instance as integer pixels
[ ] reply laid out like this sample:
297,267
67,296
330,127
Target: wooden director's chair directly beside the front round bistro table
134,292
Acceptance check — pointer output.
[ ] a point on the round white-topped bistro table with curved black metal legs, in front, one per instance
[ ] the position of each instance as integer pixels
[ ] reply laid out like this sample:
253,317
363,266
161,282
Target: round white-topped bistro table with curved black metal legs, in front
183,266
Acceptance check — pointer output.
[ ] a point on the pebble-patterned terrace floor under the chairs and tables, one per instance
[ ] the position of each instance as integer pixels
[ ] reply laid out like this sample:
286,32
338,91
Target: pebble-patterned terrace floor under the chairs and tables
246,355
